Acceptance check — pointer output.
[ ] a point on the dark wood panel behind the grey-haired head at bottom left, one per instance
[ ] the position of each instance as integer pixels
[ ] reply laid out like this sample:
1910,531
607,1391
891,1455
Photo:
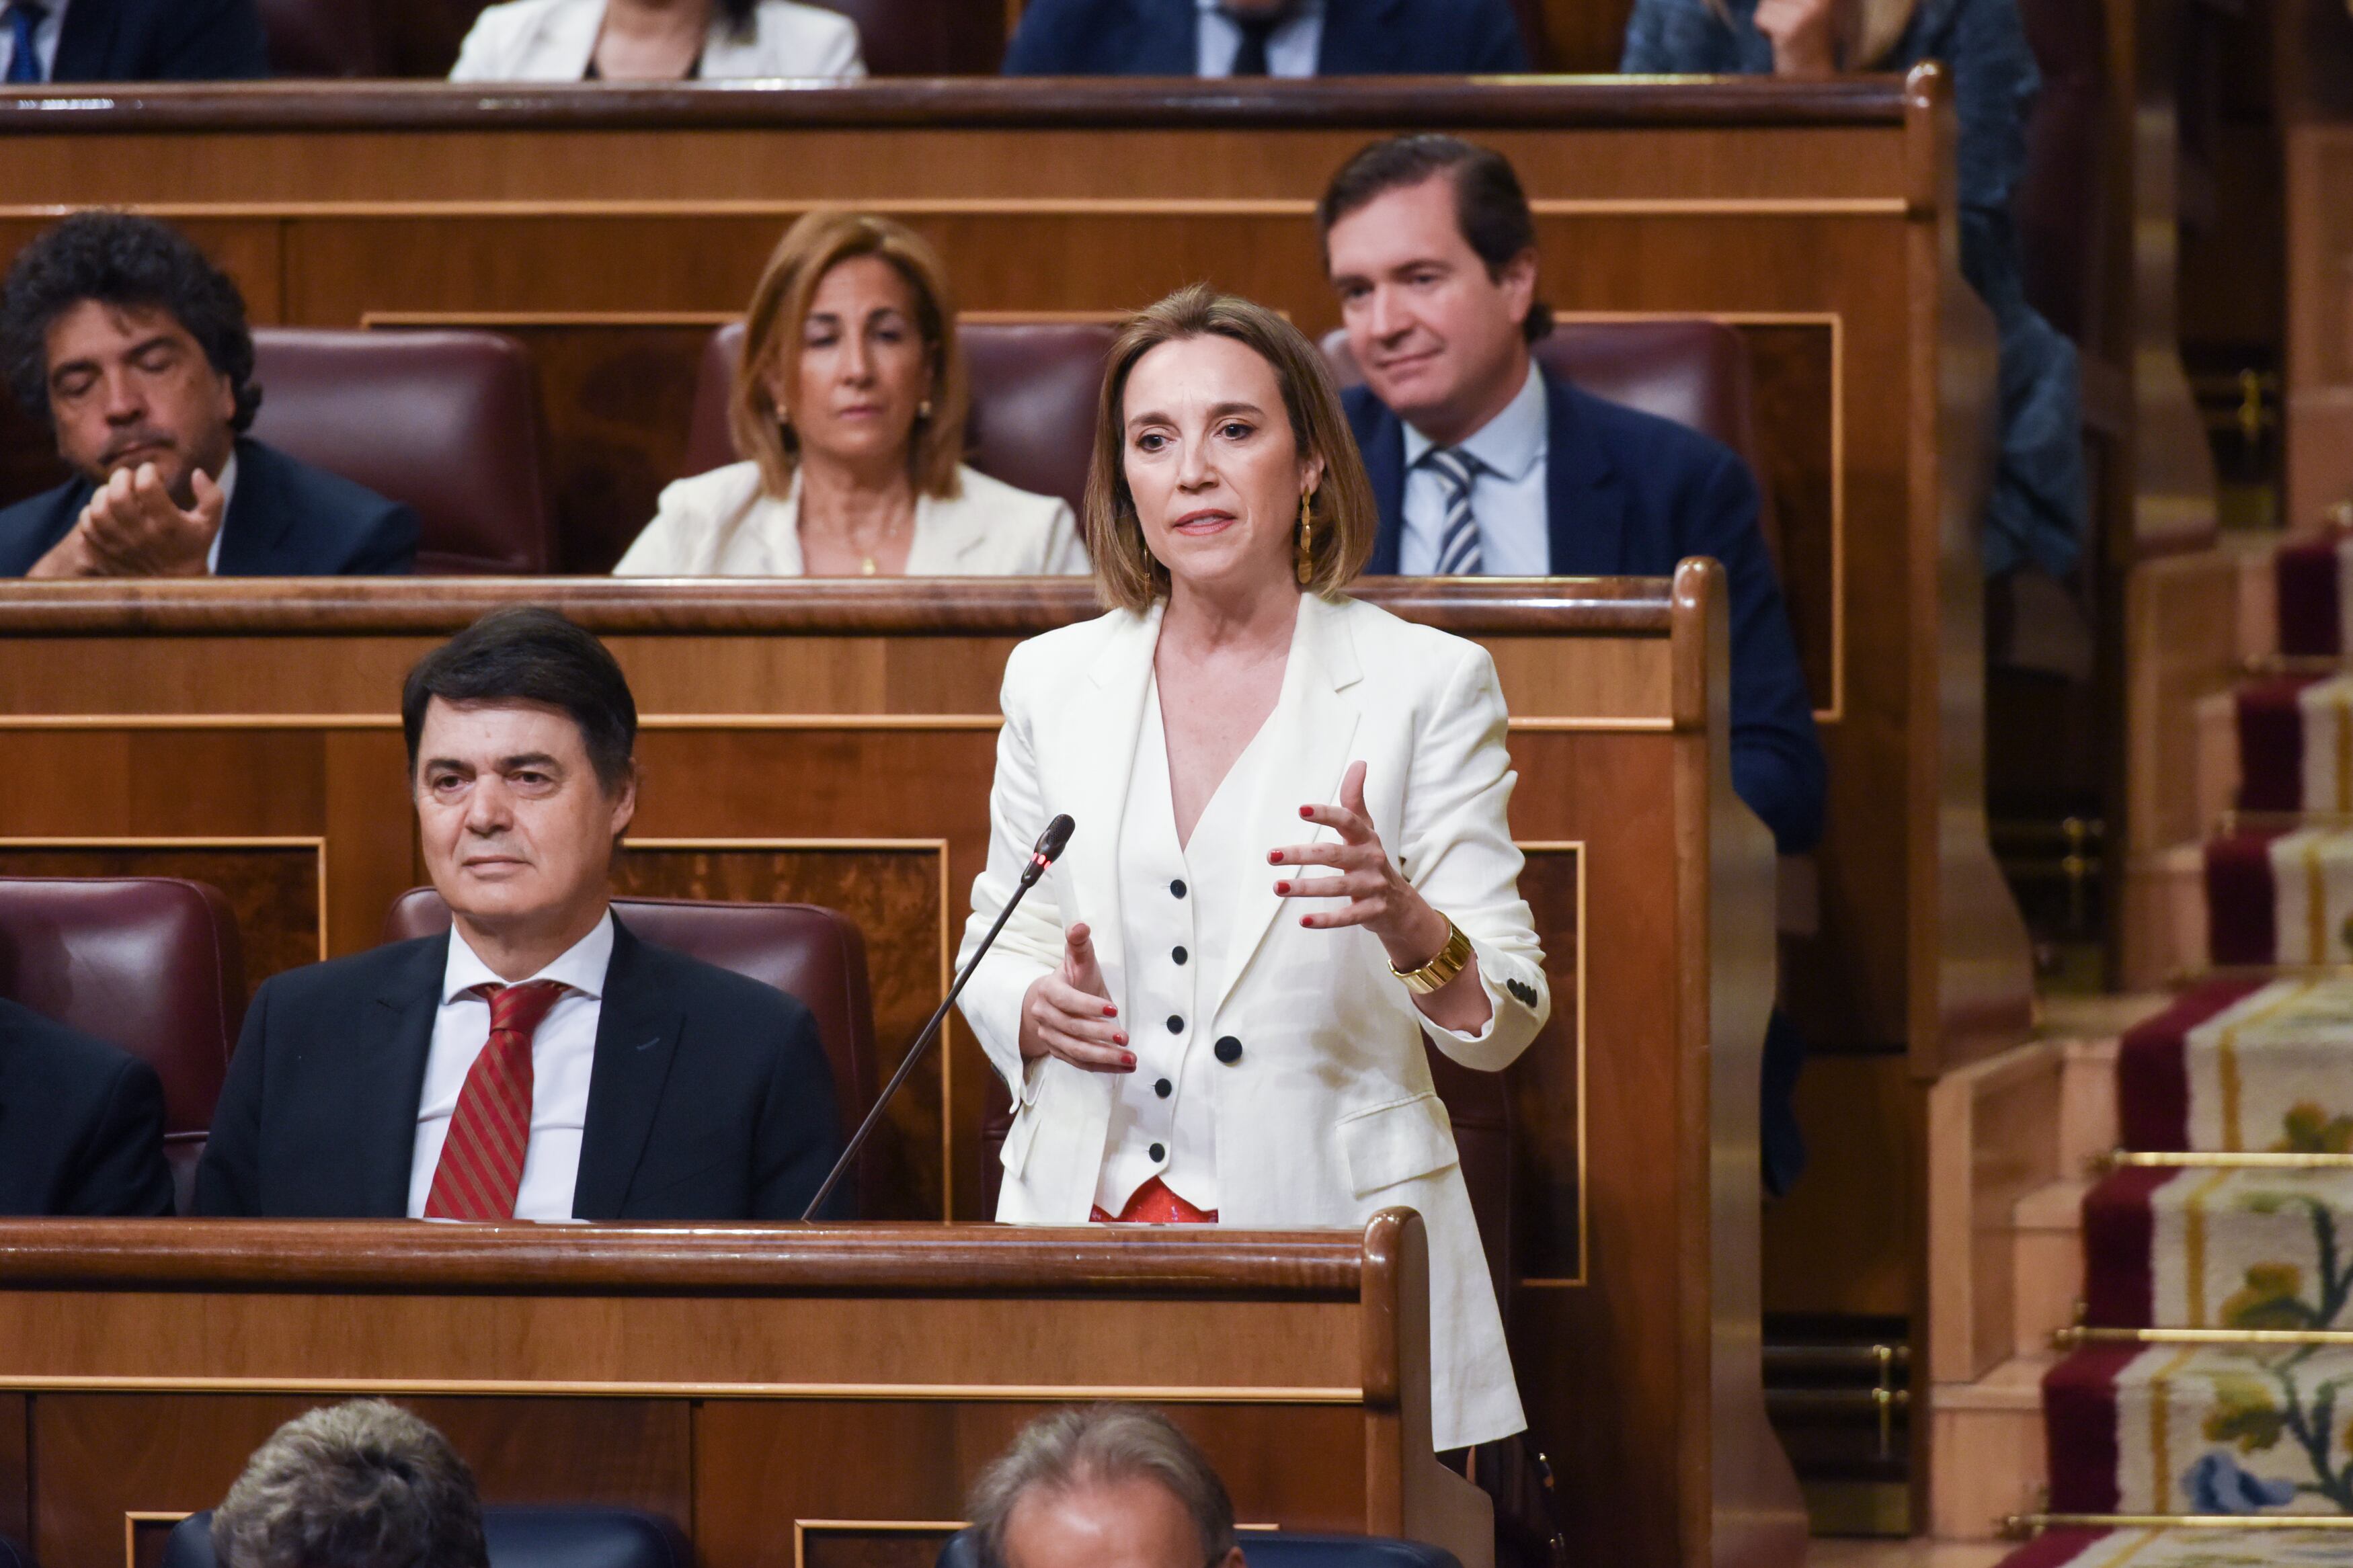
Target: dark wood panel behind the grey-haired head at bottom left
105,1456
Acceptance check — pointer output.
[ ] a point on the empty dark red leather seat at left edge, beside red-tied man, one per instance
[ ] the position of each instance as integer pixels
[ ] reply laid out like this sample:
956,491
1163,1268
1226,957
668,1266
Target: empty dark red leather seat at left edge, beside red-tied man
147,963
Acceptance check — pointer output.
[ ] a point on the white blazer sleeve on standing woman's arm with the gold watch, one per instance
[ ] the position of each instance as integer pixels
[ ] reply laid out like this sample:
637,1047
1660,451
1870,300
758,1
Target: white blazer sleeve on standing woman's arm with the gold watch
1458,852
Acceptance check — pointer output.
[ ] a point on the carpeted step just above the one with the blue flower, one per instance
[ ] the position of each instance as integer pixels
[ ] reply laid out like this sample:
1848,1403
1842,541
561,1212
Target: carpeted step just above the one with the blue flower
2220,1249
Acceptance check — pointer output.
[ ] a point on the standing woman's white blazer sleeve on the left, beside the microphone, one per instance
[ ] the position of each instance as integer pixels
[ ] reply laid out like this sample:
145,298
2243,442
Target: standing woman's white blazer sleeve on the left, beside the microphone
1032,939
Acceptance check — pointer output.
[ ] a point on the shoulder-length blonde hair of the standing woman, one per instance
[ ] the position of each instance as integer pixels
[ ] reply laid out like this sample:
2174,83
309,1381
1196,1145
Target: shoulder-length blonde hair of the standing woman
1342,516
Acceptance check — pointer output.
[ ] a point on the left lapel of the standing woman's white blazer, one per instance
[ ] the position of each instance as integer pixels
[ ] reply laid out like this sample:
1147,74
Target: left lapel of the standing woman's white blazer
1105,728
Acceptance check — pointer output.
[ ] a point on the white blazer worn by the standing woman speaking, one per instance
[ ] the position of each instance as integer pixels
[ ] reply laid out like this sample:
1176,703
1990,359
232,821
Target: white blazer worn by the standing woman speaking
1326,1113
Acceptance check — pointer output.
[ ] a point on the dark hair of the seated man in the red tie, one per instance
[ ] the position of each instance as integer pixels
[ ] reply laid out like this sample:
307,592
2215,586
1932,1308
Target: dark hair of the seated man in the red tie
531,655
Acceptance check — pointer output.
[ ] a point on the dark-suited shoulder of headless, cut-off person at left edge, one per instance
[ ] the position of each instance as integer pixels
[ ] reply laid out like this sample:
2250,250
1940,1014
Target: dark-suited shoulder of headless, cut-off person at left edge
81,1125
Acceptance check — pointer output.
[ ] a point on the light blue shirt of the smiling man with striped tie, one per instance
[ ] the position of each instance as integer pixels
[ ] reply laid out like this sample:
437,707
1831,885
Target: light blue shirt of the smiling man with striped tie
1507,495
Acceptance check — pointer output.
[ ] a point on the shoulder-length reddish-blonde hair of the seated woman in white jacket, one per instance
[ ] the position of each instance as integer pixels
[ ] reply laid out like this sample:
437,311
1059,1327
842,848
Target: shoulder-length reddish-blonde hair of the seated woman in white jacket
780,314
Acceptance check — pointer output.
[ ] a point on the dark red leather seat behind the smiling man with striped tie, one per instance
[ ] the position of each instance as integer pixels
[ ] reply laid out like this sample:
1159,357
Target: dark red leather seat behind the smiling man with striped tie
1688,370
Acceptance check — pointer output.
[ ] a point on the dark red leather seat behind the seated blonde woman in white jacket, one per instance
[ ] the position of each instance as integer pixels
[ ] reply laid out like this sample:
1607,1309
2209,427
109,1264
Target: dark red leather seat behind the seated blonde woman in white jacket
1034,389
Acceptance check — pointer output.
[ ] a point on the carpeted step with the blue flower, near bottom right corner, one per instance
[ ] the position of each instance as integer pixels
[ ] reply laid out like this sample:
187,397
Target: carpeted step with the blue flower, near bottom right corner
2201,1430
